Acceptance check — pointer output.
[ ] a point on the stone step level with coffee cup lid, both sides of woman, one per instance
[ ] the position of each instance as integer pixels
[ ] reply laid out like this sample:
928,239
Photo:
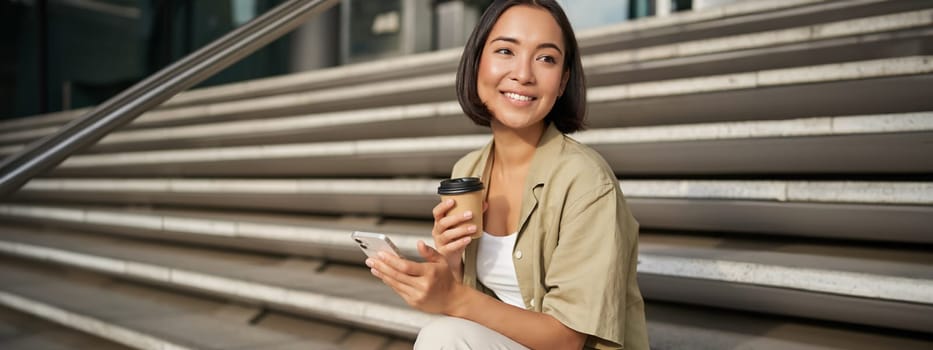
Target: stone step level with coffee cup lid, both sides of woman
878,211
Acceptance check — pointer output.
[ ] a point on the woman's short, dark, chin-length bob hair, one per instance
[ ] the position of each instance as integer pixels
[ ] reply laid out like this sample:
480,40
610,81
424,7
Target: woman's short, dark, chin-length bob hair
569,111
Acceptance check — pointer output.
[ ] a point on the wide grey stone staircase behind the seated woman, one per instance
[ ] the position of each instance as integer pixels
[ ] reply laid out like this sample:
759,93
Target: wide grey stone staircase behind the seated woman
776,153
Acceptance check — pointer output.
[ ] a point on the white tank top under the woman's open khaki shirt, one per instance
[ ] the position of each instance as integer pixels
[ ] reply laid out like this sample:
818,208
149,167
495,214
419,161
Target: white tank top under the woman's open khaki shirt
495,268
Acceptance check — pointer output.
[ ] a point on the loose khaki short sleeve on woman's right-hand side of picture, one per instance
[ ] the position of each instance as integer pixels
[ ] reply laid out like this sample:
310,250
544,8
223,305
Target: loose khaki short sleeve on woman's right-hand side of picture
589,271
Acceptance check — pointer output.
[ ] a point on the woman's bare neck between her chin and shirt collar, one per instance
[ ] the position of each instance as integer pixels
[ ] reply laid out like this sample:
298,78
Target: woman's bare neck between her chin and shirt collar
514,148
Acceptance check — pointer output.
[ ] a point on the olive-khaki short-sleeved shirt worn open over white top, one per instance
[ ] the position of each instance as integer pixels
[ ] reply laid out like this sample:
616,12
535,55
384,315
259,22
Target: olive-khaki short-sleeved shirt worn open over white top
577,247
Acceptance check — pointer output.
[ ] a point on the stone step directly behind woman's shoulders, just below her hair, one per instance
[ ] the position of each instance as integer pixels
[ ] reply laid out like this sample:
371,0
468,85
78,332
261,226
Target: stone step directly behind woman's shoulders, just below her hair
889,143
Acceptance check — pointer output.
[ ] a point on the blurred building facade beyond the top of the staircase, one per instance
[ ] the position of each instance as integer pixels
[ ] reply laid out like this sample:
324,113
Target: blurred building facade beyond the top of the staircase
65,54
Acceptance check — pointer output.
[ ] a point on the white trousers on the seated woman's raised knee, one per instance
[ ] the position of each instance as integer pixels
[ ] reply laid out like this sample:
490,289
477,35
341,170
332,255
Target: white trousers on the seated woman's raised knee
452,333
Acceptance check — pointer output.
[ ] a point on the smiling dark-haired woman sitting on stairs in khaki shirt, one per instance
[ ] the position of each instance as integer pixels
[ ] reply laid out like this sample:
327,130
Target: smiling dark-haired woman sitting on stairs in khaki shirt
556,266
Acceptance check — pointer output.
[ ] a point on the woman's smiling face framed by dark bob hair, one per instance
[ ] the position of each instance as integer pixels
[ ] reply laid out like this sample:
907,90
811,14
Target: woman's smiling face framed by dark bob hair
521,71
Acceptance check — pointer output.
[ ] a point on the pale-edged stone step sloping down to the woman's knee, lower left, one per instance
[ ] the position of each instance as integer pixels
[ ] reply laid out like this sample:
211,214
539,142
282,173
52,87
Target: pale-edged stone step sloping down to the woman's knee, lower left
353,297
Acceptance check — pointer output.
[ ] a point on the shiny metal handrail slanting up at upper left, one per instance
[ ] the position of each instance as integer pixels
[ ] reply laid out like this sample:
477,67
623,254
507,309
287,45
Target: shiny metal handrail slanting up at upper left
123,108
